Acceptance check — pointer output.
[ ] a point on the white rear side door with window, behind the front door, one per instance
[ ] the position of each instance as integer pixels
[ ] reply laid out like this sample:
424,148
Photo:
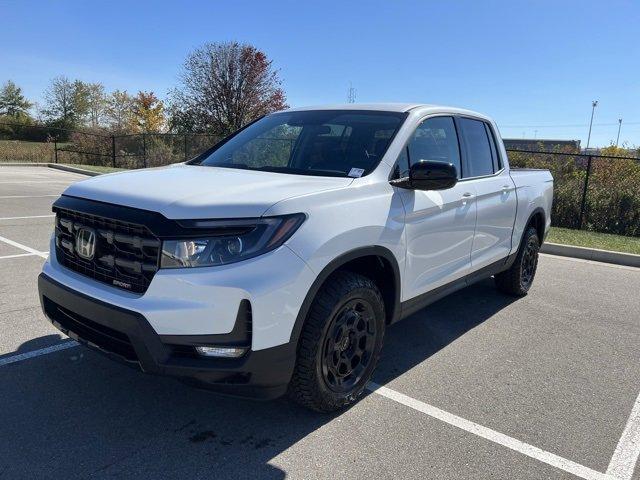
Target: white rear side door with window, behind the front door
495,192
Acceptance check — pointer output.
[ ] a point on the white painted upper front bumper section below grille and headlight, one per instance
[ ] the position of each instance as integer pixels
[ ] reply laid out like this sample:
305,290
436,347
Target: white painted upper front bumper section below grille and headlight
204,301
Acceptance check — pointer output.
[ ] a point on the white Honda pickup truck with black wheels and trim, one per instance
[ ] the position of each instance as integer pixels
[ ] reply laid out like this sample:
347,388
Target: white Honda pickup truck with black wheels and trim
275,261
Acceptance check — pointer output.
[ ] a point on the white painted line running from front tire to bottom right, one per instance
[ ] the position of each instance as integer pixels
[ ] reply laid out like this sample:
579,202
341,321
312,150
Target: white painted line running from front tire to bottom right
491,435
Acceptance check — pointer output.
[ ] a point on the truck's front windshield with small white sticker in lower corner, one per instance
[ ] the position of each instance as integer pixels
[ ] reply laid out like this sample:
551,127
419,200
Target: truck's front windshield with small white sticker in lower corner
317,142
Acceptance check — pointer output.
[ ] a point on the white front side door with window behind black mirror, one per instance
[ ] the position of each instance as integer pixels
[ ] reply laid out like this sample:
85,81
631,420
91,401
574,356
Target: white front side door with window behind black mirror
439,223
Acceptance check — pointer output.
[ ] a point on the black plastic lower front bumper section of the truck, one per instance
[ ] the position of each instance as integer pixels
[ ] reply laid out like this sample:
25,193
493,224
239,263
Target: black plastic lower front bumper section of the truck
127,336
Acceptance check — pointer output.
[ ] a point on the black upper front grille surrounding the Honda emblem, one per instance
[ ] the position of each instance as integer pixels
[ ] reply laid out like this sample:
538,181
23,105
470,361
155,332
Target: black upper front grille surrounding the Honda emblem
126,255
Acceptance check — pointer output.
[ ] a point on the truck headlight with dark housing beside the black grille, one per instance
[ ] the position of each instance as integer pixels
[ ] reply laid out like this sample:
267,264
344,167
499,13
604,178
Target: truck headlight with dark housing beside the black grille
228,241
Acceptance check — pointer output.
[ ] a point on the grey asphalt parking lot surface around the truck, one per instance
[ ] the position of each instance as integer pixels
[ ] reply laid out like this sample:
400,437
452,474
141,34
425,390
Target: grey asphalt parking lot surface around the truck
478,385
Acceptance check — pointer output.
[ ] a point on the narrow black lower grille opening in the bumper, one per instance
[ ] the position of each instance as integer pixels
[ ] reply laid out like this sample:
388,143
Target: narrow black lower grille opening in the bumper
86,330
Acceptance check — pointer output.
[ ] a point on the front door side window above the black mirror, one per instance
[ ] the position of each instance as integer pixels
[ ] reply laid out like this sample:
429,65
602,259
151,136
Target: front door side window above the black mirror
436,139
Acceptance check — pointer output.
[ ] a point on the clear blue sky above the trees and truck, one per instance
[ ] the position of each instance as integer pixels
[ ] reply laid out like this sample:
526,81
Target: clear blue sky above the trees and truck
535,66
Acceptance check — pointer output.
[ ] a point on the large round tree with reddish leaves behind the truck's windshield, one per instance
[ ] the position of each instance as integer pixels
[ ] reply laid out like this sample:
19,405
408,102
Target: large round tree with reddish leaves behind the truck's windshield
223,87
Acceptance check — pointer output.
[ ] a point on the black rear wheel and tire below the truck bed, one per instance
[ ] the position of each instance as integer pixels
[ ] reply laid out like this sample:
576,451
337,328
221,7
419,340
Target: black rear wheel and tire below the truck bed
518,279
